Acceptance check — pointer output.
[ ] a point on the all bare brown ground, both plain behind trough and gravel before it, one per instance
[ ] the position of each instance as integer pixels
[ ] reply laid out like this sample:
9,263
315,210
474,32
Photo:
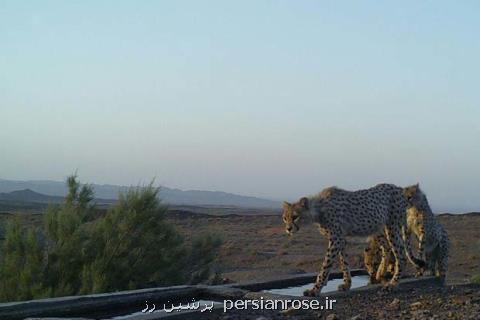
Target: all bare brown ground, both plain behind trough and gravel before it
257,248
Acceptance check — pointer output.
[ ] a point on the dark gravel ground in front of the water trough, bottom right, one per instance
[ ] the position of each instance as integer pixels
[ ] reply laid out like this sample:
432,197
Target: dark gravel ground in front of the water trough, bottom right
450,302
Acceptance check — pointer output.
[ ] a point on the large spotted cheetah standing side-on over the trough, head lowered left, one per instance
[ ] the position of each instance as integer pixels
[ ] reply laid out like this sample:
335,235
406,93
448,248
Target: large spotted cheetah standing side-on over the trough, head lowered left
340,213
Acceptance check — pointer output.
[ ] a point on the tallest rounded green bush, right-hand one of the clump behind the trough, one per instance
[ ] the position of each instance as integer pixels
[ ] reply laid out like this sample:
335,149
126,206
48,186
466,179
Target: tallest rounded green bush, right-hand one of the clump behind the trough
133,245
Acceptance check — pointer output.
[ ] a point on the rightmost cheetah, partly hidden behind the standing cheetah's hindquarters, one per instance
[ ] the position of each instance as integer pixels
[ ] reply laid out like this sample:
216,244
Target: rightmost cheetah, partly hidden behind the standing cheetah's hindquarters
433,241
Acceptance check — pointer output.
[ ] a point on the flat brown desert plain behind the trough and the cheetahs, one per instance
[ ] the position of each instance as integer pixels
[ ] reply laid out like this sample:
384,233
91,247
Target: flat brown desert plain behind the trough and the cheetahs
256,247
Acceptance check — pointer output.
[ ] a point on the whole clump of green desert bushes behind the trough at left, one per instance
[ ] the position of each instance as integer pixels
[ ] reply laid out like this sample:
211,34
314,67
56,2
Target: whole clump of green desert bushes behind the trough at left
131,246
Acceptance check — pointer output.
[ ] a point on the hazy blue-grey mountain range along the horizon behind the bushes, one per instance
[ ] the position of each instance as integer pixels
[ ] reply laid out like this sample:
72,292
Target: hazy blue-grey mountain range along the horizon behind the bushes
44,191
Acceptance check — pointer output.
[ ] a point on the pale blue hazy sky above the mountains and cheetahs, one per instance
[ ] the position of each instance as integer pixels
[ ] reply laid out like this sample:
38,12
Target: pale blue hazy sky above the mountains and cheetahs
268,98
